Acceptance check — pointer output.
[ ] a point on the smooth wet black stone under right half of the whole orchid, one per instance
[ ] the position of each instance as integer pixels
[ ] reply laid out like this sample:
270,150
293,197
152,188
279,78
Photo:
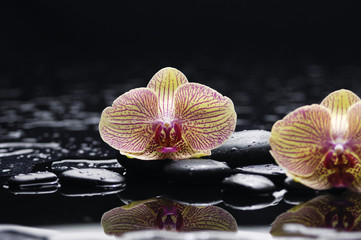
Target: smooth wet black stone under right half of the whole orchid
196,171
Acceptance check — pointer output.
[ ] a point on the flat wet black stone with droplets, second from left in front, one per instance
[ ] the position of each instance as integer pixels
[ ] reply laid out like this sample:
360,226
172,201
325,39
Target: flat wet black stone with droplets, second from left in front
92,177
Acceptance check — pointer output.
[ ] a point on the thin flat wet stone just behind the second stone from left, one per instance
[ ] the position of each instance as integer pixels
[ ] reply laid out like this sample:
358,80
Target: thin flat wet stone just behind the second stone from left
68,164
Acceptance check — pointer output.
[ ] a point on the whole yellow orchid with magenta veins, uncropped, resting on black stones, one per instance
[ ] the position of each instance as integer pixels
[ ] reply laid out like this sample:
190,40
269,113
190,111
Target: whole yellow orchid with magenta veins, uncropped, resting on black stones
170,118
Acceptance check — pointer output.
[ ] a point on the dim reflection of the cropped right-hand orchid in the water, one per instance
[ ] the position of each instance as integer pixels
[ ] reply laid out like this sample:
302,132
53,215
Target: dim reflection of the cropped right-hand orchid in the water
340,213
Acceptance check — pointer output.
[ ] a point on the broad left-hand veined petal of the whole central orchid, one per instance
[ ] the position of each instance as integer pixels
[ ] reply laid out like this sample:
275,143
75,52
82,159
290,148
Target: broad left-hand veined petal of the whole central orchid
129,124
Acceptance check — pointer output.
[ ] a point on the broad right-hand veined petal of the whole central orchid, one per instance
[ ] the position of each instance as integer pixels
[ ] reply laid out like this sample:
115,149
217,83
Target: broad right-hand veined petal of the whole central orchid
207,118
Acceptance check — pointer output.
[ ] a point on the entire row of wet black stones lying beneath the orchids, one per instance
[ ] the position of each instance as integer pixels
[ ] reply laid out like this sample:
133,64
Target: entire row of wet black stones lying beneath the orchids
241,171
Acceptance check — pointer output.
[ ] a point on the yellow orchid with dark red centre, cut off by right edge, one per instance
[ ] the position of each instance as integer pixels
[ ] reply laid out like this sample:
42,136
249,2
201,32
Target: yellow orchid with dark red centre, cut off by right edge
320,145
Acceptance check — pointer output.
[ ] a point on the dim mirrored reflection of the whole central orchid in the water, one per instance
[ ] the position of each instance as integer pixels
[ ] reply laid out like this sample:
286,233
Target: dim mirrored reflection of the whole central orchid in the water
163,214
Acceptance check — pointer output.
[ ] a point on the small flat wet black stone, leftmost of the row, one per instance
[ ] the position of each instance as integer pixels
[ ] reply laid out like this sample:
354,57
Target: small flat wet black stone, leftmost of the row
37,180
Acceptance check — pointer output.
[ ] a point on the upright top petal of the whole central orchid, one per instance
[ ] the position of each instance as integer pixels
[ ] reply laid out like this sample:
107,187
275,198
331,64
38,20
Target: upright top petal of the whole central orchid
164,83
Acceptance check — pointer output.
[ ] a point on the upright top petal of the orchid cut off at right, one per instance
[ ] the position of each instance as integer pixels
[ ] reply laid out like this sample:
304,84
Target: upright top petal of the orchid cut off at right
339,102
